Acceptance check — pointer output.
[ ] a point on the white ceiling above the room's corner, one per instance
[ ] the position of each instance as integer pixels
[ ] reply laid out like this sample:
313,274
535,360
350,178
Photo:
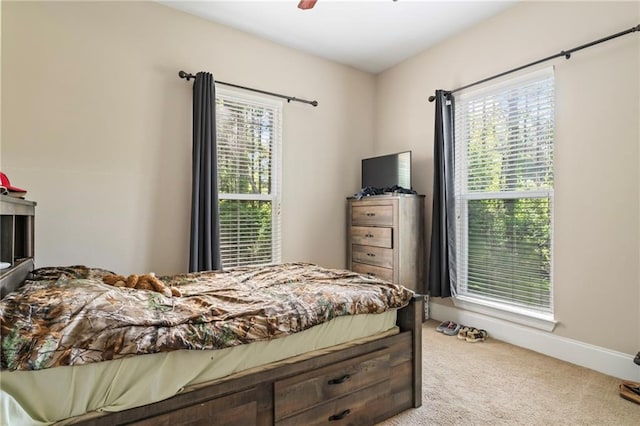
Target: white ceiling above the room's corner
370,35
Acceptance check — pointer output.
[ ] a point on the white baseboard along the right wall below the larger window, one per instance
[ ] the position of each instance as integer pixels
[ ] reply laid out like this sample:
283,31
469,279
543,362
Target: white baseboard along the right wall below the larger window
612,363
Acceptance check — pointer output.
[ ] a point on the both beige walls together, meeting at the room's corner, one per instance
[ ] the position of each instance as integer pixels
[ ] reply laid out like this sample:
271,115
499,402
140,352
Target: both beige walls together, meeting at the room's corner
96,125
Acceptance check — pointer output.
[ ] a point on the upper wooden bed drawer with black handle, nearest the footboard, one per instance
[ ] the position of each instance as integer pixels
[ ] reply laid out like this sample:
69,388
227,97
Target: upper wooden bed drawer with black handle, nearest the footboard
302,392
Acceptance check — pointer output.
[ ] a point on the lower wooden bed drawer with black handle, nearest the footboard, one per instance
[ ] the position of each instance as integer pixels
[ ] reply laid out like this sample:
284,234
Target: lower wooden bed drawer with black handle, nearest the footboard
365,405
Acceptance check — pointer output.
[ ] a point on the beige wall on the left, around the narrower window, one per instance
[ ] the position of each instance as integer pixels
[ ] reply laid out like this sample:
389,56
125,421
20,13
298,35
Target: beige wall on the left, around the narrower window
97,127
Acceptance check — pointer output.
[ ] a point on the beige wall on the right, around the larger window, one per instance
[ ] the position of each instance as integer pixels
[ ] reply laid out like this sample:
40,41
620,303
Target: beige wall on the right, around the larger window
597,184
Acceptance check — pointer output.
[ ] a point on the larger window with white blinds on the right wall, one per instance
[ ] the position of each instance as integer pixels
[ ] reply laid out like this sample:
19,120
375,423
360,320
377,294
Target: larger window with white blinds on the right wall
504,195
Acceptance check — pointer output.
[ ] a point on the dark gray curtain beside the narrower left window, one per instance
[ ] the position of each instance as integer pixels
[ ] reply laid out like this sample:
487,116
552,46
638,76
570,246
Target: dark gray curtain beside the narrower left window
204,253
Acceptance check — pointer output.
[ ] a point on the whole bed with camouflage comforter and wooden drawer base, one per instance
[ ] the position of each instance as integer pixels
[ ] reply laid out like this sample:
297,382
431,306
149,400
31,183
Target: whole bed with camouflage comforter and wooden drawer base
346,350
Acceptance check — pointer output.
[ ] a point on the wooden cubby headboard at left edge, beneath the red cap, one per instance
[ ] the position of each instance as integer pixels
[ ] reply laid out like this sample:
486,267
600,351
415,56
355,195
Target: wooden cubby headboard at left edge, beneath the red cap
16,241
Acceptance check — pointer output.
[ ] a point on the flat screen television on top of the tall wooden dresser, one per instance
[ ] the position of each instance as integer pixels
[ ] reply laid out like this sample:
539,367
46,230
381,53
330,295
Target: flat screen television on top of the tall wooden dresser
387,171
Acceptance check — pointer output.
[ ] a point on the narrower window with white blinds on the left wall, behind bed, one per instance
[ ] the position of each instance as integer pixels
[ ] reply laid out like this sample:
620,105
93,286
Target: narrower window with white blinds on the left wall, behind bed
248,133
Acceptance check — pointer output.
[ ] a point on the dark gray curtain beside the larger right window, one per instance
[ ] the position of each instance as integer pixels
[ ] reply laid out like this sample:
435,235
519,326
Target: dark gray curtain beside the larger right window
442,261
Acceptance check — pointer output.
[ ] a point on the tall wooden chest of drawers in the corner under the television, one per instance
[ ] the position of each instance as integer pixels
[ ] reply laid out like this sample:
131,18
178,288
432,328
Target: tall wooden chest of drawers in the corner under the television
385,238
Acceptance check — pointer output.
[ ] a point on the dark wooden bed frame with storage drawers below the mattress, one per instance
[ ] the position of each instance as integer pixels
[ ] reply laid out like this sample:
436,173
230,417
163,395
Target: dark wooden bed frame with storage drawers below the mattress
363,384
